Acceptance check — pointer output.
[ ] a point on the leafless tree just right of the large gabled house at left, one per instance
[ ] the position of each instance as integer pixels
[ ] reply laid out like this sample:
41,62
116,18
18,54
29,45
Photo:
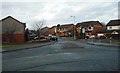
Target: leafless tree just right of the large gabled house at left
37,26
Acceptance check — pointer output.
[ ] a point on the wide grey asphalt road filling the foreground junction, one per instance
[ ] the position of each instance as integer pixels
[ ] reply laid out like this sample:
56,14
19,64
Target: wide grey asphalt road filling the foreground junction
64,55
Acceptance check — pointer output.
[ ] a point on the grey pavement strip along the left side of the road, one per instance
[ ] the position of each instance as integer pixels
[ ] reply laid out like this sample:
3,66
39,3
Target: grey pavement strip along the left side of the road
28,46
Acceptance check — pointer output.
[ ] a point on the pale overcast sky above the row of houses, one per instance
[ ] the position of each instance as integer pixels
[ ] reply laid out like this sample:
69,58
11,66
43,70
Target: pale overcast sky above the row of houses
59,11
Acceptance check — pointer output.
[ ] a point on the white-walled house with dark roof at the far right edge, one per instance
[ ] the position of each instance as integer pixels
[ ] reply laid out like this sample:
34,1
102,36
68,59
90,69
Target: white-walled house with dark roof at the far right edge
113,28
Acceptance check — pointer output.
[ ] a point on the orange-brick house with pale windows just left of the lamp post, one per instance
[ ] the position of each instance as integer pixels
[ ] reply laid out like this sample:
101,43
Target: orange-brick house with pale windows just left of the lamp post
64,30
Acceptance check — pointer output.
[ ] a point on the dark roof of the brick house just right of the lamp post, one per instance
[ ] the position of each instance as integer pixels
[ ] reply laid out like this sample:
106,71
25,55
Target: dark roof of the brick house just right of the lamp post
88,23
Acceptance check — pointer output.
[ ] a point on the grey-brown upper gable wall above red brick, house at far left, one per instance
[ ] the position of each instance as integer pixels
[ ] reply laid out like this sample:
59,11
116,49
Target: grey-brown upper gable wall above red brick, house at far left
11,24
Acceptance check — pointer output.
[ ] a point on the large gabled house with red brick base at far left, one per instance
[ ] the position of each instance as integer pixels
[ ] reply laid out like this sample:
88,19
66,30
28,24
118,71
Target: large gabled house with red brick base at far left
12,30
